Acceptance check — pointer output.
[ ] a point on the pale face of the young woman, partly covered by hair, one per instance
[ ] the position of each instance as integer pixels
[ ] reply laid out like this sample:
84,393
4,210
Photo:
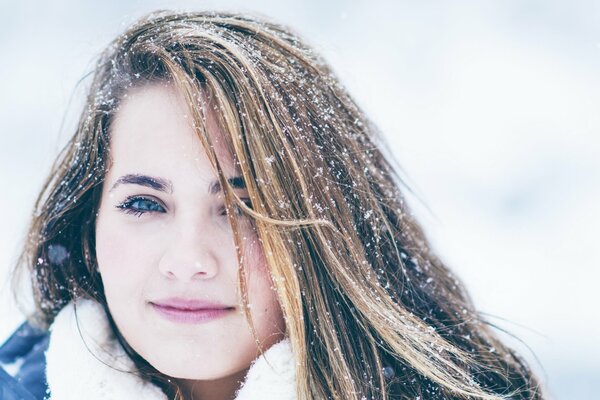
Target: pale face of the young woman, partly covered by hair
165,248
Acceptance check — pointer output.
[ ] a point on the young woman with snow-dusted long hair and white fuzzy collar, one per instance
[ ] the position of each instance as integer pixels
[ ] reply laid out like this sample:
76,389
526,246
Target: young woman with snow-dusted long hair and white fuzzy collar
225,224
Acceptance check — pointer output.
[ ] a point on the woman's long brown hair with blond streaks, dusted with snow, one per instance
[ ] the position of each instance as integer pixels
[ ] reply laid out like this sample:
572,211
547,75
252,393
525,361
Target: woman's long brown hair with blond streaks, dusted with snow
370,311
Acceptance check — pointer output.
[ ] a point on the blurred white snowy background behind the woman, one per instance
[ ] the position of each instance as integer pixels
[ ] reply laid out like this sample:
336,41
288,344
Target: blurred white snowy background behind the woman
491,107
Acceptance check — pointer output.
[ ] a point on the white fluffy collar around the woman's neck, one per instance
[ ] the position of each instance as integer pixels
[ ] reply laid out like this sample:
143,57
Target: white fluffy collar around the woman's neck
78,369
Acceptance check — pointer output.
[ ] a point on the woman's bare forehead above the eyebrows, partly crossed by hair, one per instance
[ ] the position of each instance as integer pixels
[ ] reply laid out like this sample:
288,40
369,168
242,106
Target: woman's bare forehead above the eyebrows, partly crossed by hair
156,120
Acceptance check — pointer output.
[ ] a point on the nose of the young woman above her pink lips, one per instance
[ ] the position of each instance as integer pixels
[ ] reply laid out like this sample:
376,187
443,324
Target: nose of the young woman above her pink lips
189,256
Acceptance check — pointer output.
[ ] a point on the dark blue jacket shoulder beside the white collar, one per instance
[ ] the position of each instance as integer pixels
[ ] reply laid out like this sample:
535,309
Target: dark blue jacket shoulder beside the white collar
25,348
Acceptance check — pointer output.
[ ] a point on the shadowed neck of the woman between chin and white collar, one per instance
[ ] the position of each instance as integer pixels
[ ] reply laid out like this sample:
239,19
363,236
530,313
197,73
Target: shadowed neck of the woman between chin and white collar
218,389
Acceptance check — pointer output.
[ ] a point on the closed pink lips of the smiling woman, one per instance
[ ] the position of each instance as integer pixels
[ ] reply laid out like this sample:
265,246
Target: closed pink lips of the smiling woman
189,311
